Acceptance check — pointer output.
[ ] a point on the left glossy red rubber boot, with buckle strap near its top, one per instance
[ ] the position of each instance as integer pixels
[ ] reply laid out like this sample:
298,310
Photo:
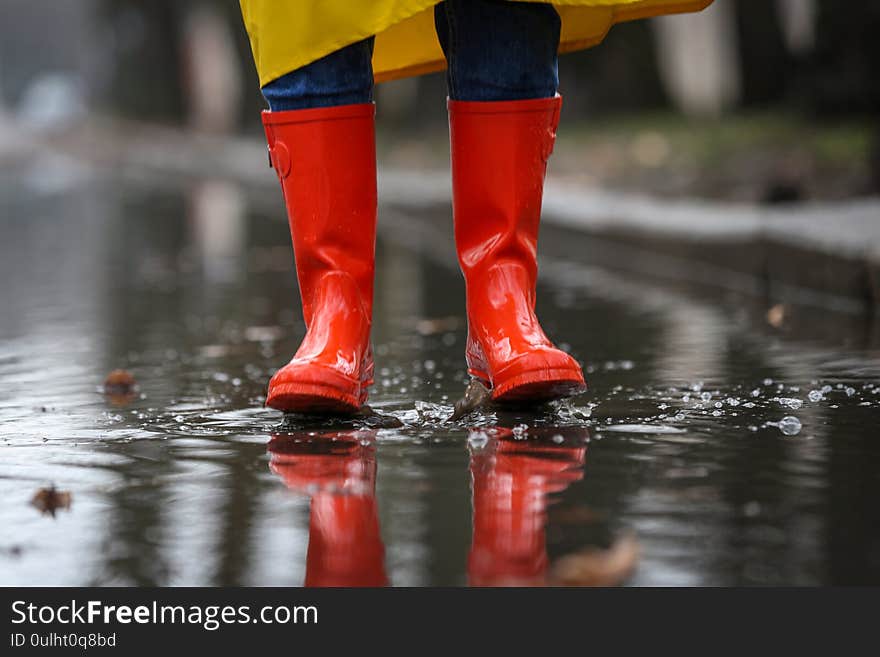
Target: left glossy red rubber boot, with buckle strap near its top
326,161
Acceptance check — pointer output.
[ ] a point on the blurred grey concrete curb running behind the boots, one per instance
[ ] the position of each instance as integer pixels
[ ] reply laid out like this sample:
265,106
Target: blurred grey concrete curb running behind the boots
818,254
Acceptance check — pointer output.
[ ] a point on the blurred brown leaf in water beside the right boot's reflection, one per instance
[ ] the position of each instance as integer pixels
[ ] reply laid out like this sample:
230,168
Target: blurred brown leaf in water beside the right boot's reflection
596,567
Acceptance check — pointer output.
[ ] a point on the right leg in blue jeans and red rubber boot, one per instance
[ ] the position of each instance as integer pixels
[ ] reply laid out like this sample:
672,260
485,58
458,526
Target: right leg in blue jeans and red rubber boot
503,112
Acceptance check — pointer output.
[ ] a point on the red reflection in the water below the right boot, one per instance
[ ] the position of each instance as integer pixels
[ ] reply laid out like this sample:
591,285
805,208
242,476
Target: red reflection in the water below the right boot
511,482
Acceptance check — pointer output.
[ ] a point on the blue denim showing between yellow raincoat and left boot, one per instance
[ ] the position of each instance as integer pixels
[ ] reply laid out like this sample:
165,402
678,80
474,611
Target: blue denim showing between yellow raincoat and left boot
344,77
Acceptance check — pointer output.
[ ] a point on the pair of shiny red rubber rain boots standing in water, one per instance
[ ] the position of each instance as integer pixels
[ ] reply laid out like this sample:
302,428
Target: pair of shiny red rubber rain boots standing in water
326,161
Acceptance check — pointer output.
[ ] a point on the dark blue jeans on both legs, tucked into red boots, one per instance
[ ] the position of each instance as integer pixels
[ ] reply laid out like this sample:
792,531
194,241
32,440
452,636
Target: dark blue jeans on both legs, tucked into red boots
495,50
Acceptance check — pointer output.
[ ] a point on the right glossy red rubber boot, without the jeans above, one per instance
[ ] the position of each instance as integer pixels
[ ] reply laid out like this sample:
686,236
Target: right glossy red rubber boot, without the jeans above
499,158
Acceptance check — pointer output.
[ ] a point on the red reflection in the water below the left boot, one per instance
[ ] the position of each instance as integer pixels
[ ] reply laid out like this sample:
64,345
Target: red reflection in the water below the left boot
345,546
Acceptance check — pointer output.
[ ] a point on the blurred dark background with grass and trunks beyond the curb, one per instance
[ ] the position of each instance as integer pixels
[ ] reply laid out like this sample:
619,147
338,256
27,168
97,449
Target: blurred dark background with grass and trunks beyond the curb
751,101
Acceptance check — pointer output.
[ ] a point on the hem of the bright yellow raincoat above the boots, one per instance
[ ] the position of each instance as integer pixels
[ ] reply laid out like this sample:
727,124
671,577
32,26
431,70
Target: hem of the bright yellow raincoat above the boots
286,35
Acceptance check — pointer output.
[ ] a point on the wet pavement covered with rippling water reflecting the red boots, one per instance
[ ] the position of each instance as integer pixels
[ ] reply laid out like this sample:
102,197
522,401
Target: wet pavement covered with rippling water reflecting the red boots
711,449
